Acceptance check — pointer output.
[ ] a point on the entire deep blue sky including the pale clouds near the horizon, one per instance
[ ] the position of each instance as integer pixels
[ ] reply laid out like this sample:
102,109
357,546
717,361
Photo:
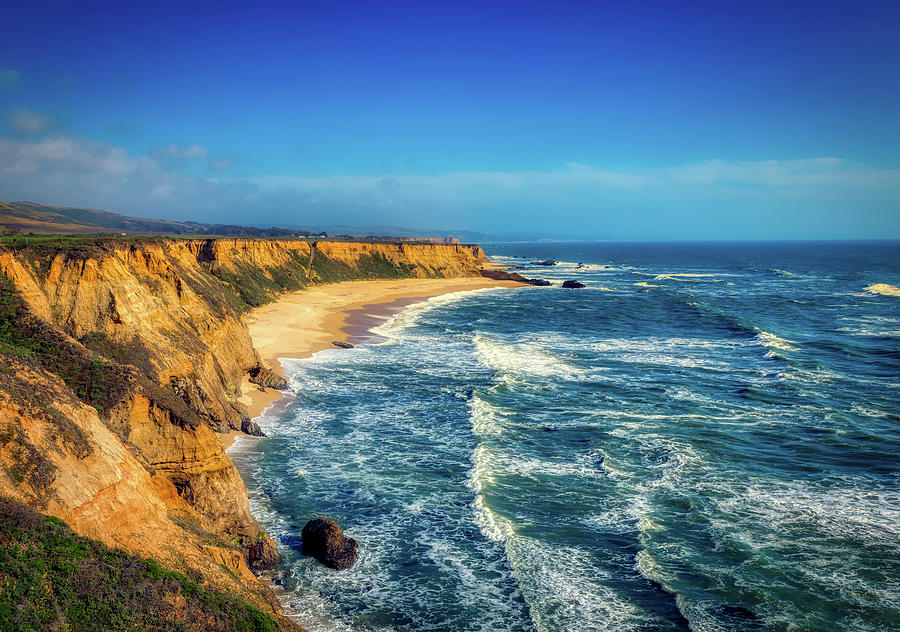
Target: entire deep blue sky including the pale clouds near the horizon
664,120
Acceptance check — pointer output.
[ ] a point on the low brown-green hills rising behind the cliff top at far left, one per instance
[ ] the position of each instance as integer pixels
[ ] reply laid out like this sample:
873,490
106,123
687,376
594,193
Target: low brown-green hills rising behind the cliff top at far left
32,217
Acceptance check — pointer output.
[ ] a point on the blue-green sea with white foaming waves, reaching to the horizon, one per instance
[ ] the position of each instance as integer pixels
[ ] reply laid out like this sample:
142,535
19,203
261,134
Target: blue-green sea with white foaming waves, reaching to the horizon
705,438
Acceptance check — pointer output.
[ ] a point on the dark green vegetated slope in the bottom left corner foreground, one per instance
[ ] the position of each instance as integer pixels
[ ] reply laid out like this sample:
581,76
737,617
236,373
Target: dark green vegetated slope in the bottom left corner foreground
52,579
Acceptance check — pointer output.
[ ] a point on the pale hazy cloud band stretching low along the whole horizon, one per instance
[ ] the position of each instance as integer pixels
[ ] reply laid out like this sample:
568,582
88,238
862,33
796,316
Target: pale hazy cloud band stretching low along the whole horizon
820,193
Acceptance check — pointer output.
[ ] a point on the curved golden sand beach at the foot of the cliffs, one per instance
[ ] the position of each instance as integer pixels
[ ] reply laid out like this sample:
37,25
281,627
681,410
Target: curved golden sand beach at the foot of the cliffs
301,323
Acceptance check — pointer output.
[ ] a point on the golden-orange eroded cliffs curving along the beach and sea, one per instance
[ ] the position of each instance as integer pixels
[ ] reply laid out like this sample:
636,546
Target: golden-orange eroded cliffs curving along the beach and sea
121,359
